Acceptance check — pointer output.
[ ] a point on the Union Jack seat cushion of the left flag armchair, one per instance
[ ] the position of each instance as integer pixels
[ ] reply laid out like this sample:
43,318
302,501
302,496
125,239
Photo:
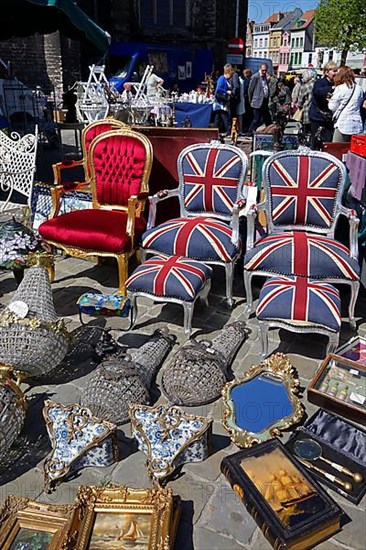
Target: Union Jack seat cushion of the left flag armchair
203,238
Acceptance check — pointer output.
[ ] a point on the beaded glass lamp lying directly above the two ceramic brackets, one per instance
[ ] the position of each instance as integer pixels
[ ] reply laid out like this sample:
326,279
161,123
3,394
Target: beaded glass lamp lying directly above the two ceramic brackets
124,379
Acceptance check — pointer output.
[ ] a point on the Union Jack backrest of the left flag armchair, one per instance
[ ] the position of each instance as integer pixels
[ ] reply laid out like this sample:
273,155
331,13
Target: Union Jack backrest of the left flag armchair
211,179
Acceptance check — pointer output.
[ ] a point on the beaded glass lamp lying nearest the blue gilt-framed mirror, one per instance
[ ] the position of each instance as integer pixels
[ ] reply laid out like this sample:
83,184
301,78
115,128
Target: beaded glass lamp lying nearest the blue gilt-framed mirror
198,371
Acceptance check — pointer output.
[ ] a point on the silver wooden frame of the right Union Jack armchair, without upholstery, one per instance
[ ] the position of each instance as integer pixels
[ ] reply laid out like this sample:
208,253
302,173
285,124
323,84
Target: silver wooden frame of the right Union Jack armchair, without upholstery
265,206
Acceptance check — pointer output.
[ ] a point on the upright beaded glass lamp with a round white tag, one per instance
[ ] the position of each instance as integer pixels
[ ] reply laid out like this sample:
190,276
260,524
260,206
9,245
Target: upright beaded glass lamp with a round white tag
33,340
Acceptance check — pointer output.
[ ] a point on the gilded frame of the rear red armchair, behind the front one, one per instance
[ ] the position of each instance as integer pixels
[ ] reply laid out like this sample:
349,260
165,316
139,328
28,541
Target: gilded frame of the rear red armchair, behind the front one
58,188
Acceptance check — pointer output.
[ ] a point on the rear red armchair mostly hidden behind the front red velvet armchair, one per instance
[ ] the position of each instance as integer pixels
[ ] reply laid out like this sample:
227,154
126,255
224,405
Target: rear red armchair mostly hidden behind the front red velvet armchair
64,171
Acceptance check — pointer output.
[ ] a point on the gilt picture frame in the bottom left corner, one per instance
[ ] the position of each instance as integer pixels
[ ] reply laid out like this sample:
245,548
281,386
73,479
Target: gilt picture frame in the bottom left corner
28,524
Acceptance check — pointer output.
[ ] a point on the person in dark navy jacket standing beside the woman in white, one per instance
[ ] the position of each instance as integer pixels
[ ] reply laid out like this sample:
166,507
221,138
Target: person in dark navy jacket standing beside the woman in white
320,116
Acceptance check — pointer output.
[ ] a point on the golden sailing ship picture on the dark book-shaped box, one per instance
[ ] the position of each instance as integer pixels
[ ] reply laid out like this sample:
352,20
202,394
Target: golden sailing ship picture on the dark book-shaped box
289,494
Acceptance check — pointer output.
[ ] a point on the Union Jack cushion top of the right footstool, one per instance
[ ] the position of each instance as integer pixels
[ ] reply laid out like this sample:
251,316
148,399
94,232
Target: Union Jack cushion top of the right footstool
298,299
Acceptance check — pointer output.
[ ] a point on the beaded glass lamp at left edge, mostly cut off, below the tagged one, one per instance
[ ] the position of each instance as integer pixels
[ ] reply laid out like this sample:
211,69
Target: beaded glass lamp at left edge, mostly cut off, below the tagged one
12,414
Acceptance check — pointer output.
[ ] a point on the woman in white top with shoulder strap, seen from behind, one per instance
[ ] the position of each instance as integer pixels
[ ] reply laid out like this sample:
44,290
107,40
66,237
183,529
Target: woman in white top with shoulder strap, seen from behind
345,105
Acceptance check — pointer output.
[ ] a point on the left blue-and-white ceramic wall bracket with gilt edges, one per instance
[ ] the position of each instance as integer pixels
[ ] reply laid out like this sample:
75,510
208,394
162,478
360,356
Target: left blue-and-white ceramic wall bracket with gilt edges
78,440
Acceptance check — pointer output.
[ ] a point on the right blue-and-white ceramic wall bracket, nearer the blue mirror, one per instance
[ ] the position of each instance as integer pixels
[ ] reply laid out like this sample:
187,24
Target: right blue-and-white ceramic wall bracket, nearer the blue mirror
169,436
